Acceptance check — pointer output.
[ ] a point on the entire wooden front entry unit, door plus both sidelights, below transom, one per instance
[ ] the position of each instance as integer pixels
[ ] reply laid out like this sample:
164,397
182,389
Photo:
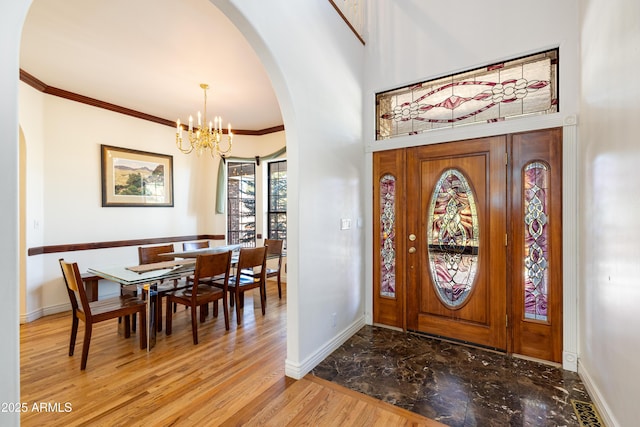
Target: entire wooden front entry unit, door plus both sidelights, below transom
468,241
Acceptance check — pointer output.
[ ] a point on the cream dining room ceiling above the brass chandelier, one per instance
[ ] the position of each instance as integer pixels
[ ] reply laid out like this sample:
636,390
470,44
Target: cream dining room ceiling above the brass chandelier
150,56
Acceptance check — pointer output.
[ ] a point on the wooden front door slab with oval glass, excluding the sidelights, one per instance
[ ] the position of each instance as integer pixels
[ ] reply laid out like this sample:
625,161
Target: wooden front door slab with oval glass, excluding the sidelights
456,221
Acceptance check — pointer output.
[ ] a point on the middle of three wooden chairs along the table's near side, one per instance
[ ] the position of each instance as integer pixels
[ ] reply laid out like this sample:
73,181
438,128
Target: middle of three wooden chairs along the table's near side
254,259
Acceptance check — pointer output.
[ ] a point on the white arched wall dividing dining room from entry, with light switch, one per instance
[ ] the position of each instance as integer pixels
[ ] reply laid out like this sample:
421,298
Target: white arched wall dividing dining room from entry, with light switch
315,64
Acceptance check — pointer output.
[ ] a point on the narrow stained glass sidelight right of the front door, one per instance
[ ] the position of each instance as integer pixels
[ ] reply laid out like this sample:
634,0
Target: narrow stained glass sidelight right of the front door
536,177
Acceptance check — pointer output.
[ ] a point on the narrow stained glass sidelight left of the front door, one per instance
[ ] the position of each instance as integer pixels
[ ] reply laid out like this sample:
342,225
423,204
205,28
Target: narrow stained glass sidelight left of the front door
388,236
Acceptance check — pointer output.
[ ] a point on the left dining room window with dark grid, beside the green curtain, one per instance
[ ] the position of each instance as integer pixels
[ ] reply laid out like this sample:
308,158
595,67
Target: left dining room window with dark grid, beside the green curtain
241,199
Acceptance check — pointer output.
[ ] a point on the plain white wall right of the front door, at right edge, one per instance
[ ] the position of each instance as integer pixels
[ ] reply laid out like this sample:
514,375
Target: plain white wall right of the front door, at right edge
610,153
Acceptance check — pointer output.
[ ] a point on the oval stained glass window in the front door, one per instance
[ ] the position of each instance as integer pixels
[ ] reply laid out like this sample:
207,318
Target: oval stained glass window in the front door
453,237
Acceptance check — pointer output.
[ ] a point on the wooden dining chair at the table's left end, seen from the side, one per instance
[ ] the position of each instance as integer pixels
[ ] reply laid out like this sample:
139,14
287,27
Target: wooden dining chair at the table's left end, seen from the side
99,311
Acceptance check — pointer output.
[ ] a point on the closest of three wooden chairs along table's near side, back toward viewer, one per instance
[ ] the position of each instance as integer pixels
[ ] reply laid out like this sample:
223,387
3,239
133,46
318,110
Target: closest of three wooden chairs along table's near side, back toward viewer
201,293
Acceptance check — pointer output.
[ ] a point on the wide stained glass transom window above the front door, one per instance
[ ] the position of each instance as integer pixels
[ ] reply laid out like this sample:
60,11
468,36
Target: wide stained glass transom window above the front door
494,93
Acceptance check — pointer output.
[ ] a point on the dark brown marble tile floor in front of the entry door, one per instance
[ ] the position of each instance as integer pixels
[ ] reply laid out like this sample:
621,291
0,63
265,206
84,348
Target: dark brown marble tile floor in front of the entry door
454,384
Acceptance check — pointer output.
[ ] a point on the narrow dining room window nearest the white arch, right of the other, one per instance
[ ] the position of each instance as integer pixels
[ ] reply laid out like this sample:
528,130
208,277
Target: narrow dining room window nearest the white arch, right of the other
277,212
